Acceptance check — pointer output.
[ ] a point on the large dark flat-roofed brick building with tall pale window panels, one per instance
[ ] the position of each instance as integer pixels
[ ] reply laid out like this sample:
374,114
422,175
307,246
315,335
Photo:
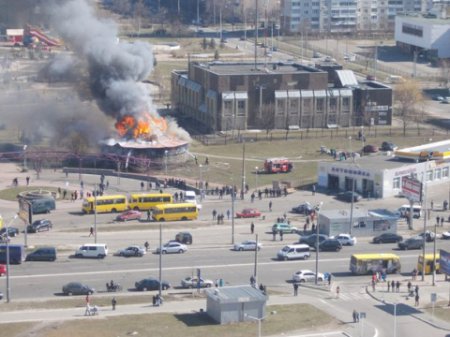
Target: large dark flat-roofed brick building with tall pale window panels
223,96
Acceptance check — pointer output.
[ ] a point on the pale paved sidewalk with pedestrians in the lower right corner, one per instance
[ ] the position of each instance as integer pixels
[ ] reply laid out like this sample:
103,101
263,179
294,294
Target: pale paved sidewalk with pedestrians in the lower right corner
405,304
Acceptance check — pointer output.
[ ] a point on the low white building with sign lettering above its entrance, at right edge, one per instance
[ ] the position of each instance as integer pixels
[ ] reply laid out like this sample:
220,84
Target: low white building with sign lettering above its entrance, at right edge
380,175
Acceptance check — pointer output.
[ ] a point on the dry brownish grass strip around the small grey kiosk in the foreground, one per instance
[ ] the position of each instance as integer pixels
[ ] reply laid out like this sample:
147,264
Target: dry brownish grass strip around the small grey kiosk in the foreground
288,318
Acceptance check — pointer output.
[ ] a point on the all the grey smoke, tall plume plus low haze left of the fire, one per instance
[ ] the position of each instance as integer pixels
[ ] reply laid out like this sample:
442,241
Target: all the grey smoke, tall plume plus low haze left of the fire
111,69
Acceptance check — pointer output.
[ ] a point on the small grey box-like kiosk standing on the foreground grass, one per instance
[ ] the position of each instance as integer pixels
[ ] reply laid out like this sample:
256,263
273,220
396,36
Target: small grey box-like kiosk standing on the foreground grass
235,304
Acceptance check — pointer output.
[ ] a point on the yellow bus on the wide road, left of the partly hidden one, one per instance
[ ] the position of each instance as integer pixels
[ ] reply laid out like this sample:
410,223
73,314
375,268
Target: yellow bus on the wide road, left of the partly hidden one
362,264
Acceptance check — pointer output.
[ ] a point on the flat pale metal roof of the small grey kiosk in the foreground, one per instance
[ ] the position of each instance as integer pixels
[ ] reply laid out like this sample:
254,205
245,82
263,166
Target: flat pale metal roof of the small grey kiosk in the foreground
234,294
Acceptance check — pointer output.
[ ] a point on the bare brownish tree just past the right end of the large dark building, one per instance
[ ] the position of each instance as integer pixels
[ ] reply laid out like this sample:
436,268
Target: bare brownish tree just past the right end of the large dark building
407,97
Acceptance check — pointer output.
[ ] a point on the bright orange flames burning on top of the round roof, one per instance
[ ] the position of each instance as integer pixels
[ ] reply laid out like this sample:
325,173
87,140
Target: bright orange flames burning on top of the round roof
141,127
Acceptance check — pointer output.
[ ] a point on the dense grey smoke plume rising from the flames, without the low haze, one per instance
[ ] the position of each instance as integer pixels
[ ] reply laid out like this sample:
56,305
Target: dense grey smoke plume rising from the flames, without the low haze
115,68
